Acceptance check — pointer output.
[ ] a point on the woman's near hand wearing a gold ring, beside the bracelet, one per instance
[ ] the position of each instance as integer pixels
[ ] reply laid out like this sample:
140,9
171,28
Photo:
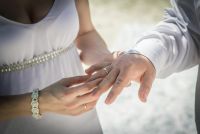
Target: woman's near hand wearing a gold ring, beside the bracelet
66,97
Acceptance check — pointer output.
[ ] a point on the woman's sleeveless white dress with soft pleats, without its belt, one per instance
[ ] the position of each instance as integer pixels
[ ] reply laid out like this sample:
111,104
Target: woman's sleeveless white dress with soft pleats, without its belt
22,42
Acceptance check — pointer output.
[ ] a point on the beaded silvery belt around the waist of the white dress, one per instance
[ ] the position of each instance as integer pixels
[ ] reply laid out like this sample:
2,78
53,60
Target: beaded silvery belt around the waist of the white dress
34,61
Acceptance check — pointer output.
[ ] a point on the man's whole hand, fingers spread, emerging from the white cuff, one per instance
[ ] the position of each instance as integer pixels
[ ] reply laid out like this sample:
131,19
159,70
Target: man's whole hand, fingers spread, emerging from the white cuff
120,72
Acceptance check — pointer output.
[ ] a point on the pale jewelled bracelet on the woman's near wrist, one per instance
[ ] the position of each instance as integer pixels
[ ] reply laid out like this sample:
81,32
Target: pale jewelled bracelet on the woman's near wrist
35,104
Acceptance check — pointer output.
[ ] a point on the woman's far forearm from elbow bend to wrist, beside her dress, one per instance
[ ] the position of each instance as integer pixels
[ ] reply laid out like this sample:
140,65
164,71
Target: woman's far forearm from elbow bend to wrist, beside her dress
92,48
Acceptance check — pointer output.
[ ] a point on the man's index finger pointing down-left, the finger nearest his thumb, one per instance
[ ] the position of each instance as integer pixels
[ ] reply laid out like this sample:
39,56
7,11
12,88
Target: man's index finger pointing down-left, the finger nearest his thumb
120,83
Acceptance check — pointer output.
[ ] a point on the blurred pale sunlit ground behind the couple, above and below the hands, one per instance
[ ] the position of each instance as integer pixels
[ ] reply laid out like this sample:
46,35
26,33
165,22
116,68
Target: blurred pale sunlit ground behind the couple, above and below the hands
170,106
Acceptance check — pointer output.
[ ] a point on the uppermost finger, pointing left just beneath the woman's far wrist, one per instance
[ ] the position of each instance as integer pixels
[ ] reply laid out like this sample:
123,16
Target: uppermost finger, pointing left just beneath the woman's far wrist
97,67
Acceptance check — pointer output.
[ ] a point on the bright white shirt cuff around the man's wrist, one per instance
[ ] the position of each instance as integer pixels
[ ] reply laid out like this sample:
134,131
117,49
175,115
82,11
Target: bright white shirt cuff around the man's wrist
154,50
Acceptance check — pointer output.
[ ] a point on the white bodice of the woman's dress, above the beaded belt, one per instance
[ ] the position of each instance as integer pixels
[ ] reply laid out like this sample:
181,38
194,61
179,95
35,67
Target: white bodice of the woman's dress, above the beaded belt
24,41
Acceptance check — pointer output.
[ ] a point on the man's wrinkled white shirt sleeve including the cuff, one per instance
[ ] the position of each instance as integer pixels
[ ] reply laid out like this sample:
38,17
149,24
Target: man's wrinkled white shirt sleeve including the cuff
169,46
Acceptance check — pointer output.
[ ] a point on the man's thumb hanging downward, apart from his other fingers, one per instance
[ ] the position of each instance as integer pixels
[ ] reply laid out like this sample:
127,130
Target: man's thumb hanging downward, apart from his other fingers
145,86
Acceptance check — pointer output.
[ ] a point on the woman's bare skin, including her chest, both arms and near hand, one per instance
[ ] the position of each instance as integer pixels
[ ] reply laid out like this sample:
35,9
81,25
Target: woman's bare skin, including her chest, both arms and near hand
60,97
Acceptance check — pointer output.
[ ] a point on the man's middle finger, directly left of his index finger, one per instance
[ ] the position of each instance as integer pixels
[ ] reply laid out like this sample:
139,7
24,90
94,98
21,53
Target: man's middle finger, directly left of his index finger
106,83
